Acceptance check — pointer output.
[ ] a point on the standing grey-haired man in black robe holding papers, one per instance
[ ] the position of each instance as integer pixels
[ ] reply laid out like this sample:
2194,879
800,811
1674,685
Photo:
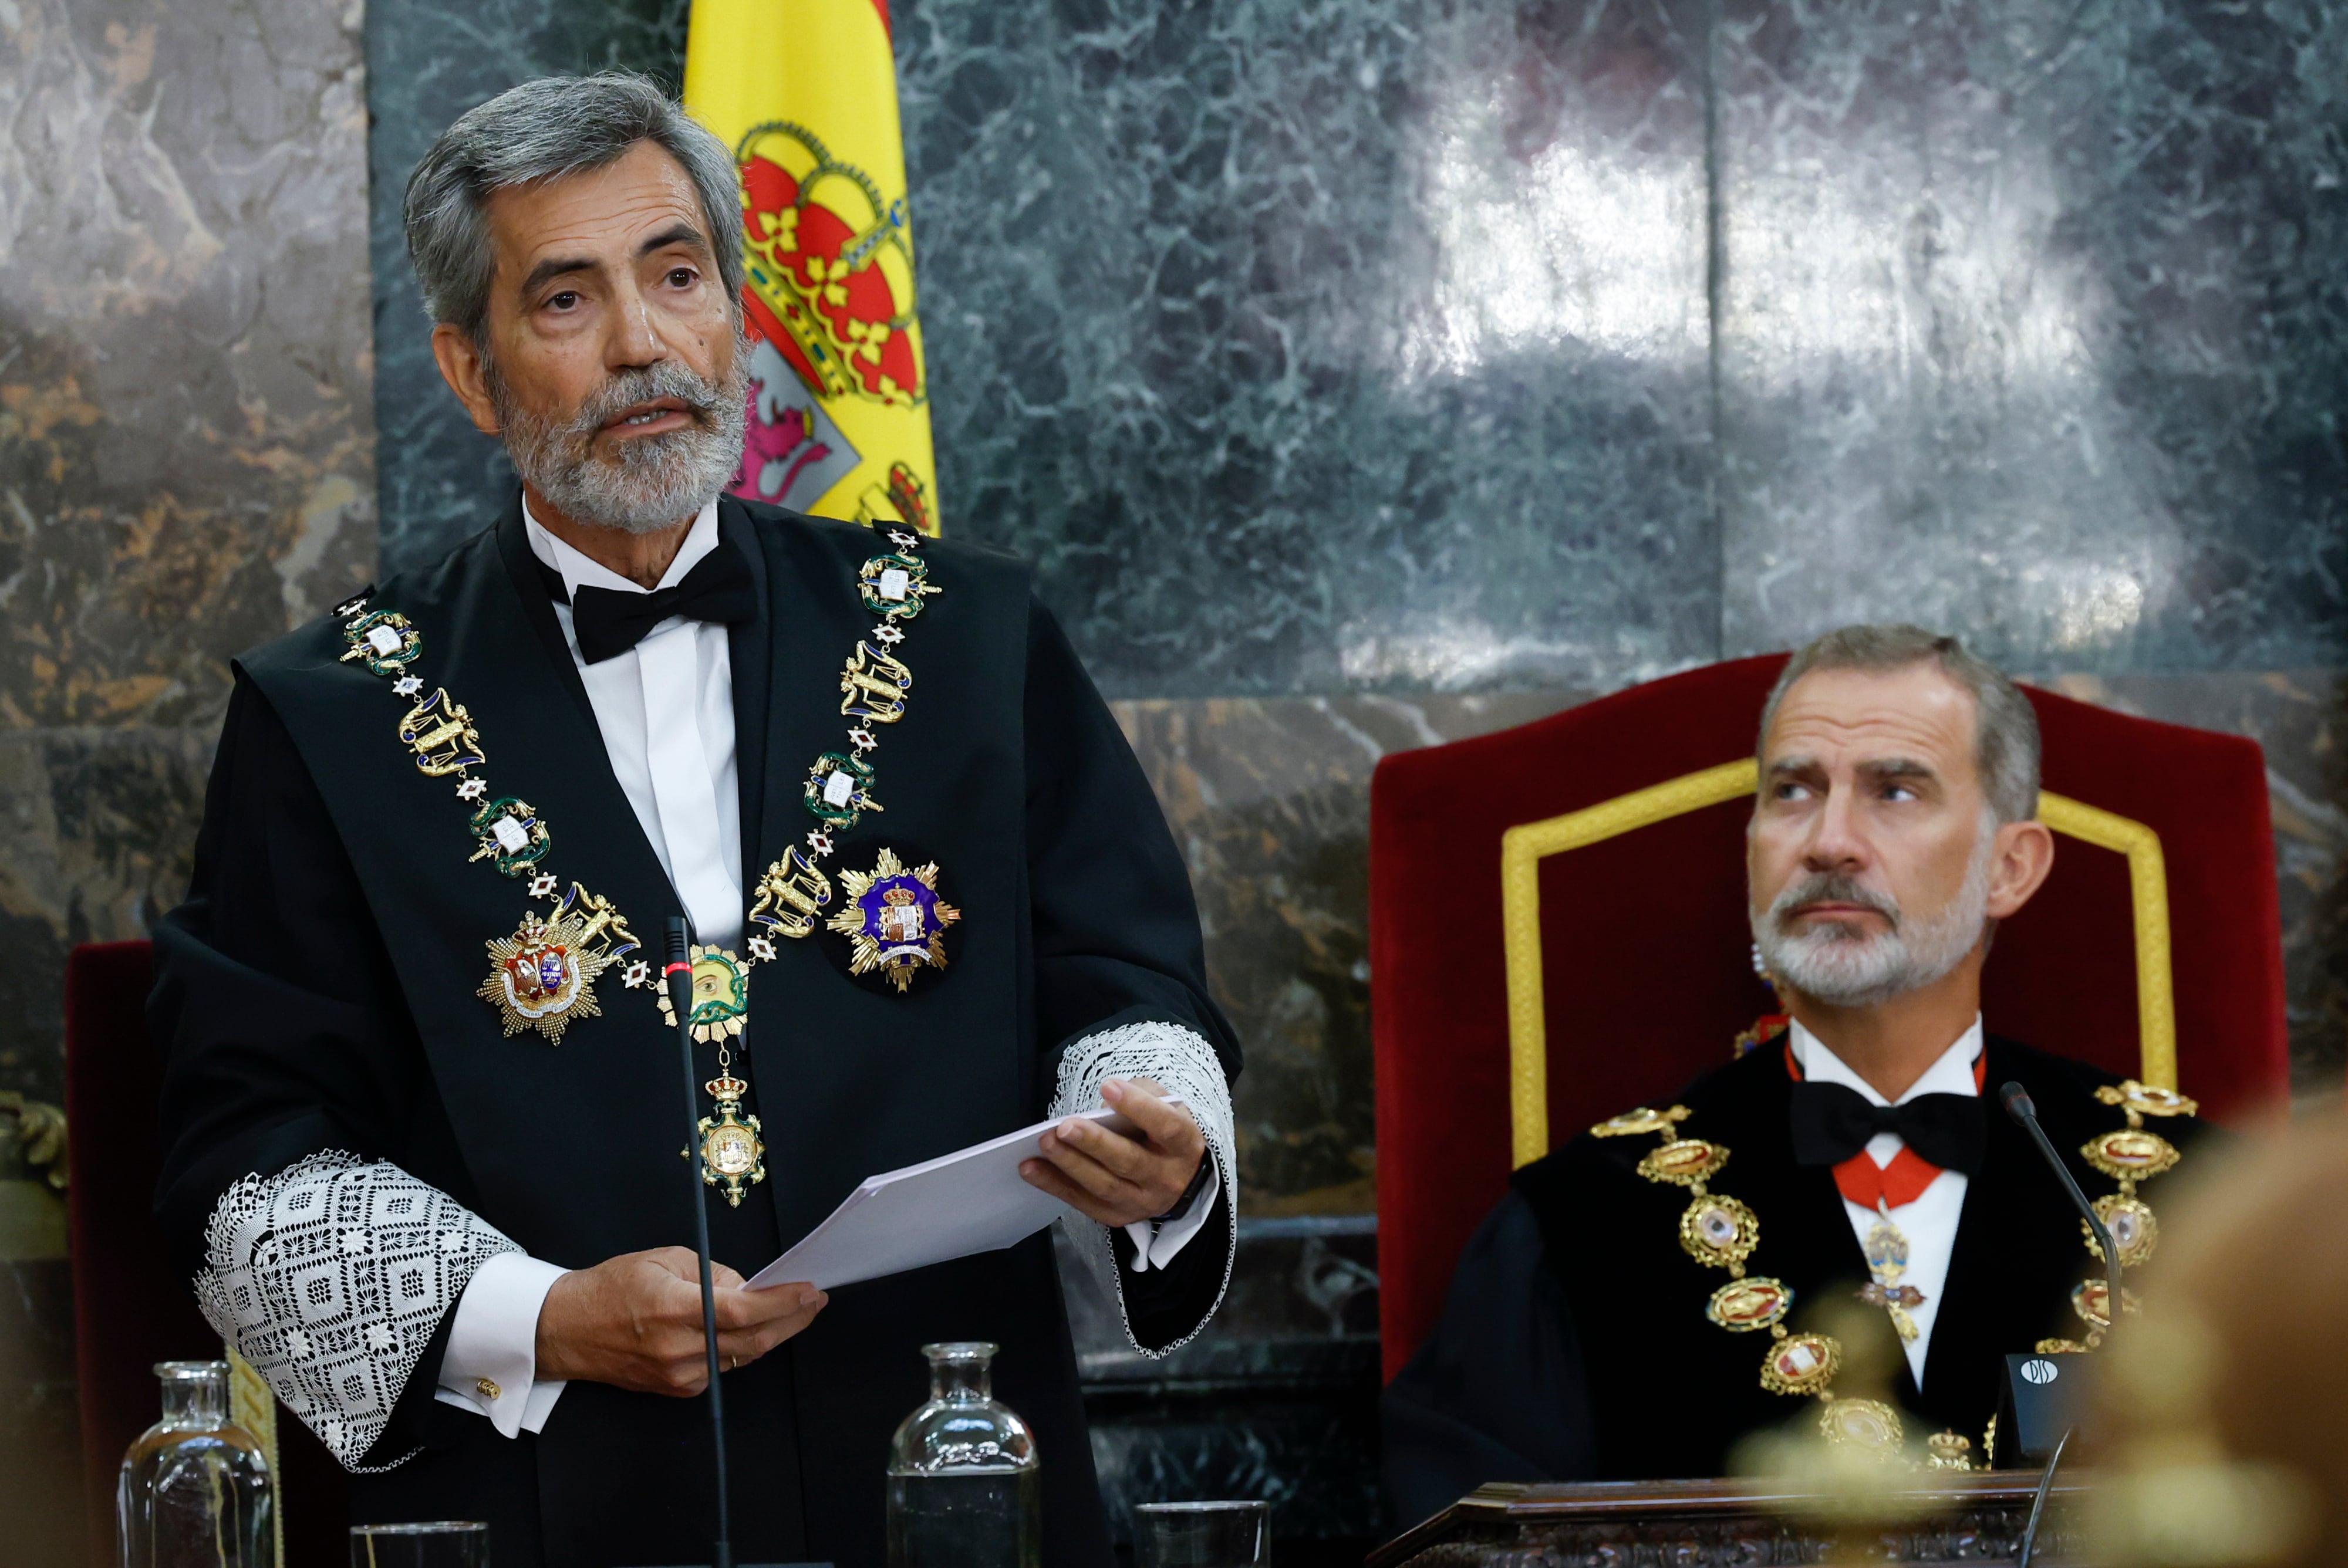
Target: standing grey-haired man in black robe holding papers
421,1076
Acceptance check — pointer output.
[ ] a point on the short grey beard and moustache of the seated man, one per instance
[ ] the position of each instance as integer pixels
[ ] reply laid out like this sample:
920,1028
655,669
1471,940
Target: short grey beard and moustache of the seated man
1842,968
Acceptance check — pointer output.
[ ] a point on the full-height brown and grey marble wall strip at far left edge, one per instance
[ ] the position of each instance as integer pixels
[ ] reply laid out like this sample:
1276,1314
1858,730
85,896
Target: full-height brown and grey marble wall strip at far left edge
187,468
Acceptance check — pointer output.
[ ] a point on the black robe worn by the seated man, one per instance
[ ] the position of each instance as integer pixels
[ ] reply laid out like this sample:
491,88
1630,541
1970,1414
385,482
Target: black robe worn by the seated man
1574,1341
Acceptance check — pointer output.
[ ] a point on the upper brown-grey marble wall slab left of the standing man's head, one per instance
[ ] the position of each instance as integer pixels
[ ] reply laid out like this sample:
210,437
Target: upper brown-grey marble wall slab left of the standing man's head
187,438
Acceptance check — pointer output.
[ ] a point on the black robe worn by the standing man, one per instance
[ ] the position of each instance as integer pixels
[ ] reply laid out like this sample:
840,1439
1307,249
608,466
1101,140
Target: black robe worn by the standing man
318,994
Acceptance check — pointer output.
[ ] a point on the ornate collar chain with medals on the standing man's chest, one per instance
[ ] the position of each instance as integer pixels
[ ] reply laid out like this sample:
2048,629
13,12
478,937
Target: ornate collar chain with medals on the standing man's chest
544,975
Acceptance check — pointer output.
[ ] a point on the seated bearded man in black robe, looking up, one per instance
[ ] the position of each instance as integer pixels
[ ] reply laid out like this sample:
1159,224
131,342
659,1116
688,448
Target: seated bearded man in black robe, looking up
1603,1325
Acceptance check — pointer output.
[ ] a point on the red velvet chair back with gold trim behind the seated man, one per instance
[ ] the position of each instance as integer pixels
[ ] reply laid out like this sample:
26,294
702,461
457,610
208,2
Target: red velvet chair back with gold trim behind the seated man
1633,959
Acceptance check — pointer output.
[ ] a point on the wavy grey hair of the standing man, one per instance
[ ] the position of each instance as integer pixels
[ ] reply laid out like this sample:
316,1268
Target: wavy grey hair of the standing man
539,133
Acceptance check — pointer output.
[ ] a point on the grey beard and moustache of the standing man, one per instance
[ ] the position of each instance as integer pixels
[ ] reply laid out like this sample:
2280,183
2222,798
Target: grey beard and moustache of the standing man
642,485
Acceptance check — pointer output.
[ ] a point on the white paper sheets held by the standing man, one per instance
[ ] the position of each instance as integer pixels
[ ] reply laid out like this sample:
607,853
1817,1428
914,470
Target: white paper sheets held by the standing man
947,1208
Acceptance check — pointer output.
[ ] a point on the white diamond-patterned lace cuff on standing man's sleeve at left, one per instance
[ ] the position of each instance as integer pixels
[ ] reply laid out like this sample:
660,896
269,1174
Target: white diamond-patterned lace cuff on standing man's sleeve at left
332,1278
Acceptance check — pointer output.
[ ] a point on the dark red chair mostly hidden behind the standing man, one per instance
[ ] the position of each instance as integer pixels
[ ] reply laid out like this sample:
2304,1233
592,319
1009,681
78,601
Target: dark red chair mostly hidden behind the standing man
130,1309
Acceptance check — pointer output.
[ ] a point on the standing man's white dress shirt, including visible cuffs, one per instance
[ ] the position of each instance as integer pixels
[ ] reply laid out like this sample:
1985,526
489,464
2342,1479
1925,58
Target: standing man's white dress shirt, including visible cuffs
666,710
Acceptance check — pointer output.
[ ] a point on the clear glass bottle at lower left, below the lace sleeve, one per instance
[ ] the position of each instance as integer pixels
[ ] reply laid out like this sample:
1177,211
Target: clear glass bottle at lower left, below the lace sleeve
196,1492
